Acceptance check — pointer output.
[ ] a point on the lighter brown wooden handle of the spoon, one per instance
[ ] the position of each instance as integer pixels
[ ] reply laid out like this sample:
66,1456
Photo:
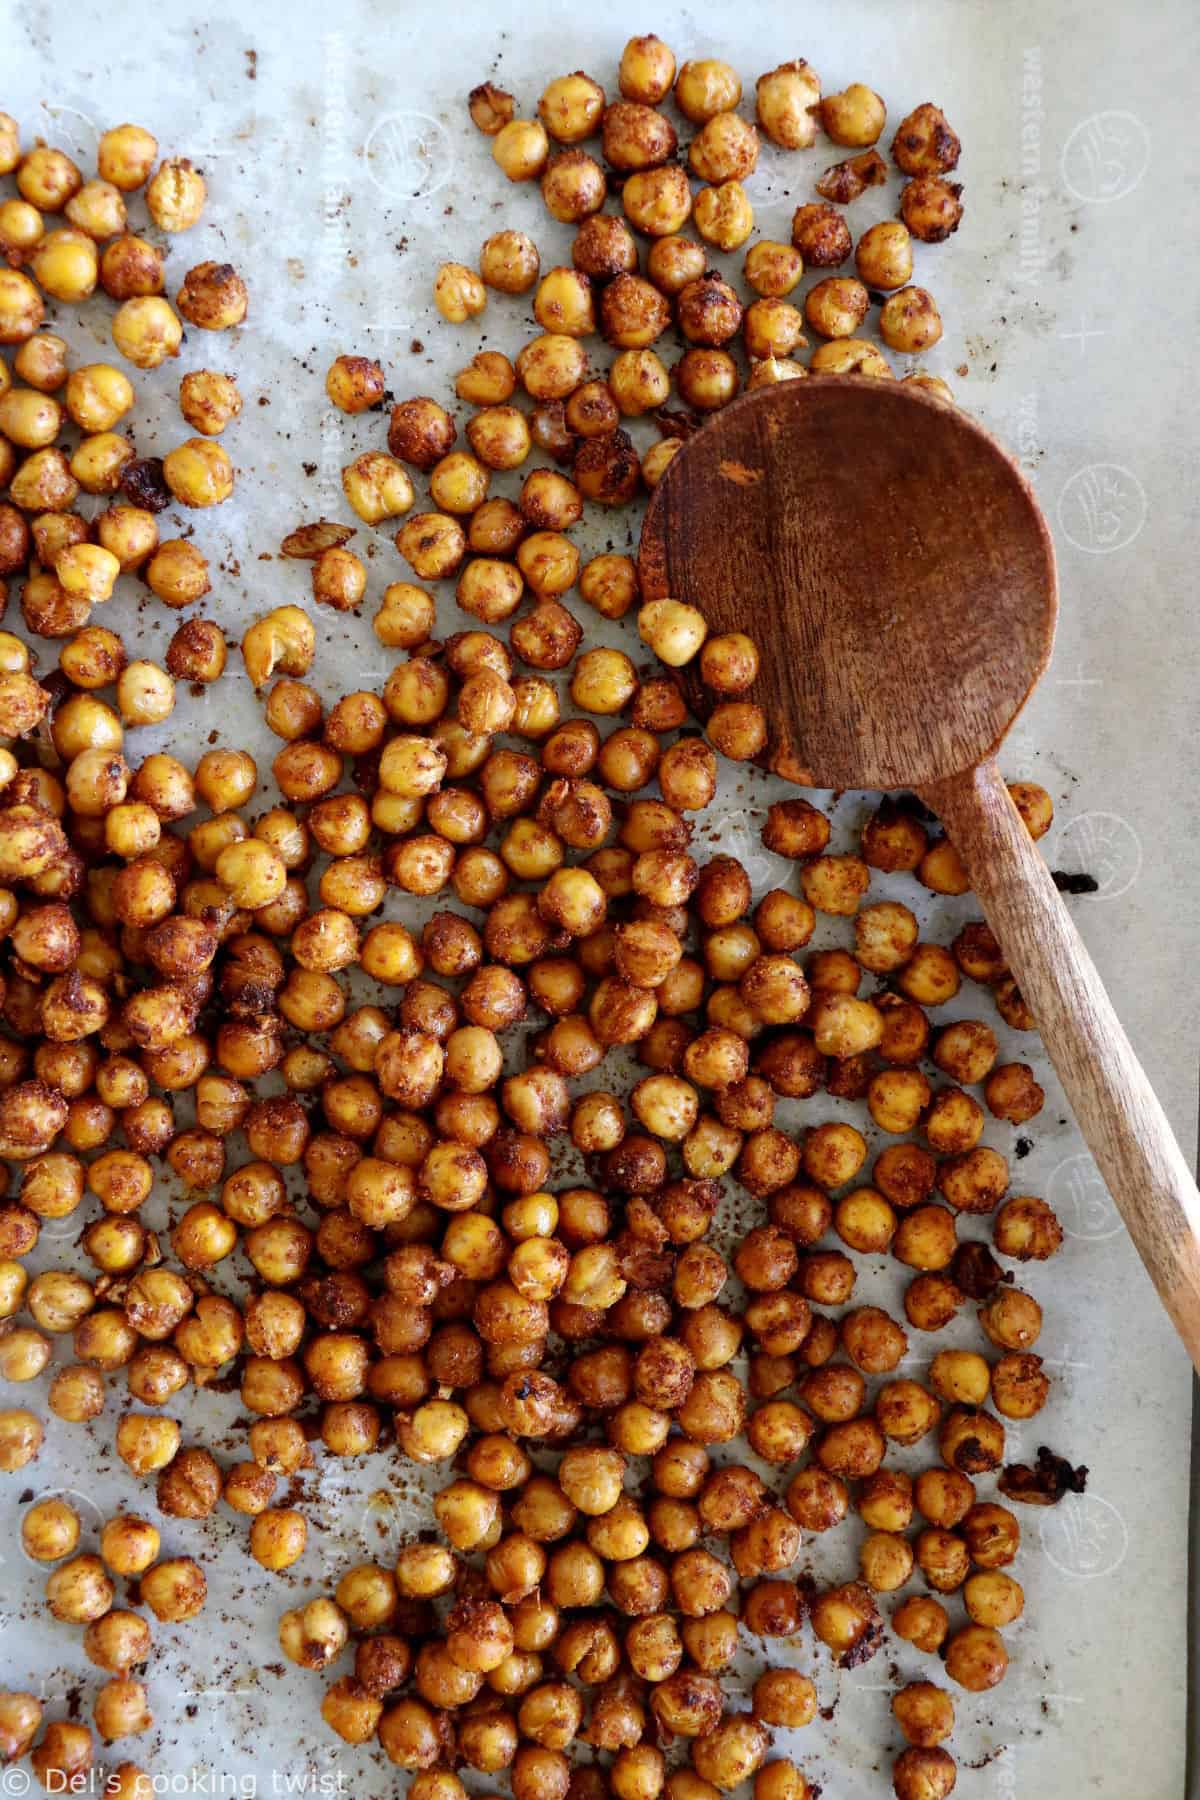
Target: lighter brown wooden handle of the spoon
1116,1108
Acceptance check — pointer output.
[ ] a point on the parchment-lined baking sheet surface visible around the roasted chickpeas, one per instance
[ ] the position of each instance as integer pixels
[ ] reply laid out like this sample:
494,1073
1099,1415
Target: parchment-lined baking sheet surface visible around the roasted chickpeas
343,170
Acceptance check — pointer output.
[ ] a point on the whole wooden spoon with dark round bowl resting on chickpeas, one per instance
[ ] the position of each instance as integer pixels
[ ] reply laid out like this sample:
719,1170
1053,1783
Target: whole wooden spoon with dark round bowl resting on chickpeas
895,570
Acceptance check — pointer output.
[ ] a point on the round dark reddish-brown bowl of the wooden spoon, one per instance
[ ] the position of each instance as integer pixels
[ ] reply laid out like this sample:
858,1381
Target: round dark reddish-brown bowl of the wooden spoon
891,546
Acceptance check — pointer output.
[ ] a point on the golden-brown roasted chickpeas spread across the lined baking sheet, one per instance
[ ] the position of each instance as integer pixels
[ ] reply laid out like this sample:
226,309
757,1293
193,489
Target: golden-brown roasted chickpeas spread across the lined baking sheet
638,1434
